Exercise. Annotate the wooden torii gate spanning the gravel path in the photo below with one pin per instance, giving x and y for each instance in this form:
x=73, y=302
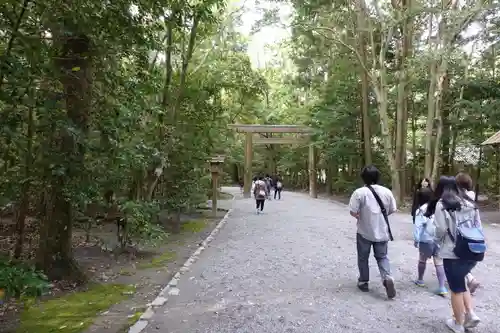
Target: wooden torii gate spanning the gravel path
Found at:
x=250, y=140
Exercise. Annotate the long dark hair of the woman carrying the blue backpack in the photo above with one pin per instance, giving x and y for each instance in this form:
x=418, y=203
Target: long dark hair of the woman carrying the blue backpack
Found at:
x=450, y=194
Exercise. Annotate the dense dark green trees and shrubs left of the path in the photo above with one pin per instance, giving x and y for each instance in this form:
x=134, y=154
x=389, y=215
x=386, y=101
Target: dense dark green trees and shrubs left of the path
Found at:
x=111, y=110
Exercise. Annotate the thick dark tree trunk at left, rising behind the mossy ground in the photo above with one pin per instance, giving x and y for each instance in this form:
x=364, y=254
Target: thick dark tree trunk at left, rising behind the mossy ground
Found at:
x=55, y=255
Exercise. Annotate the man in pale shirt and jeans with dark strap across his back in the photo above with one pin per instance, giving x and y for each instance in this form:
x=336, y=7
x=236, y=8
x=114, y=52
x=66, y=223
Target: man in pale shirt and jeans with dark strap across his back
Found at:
x=371, y=205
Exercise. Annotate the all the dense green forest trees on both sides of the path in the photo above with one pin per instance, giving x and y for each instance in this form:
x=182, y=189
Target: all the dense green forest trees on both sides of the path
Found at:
x=111, y=109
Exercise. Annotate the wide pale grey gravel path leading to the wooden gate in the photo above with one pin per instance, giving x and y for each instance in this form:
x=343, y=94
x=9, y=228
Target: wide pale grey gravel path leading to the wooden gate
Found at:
x=293, y=269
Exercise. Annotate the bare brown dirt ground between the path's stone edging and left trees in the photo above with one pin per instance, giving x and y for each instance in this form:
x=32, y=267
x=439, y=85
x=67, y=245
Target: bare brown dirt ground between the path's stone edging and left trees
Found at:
x=148, y=269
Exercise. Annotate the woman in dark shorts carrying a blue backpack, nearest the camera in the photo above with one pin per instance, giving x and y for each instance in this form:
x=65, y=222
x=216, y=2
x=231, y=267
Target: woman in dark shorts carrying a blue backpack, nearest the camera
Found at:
x=461, y=241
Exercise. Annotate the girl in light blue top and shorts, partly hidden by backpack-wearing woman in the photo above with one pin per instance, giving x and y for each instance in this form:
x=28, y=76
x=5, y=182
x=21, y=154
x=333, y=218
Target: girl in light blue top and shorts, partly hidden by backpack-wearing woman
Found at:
x=423, y=232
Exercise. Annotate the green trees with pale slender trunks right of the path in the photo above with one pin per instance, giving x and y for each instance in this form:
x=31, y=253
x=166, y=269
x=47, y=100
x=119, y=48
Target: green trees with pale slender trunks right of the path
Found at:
x=408, y=85
